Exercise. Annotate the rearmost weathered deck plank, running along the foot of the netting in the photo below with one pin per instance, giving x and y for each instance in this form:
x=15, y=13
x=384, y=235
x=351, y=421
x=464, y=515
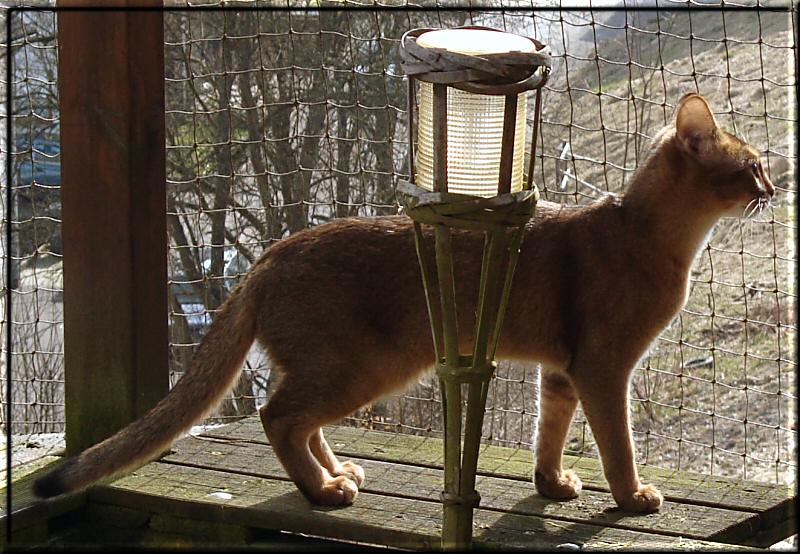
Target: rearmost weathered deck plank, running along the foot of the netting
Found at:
x=773, y=503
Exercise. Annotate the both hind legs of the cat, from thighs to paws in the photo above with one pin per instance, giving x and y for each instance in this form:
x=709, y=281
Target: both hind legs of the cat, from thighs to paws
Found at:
x=322, y=380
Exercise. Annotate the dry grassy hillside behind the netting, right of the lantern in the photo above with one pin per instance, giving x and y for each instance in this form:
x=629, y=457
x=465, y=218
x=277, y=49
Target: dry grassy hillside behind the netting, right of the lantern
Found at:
x=717, y=392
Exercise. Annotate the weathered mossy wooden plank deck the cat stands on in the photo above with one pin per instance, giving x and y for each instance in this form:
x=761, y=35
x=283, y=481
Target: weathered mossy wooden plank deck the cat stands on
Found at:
x=226, y=486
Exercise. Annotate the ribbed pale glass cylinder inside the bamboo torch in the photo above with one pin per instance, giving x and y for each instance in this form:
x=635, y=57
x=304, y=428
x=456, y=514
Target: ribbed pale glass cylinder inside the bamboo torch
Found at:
x=474, y=141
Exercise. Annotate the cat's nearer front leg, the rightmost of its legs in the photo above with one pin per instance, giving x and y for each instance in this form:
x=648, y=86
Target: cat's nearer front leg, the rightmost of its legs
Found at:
x=604, y=396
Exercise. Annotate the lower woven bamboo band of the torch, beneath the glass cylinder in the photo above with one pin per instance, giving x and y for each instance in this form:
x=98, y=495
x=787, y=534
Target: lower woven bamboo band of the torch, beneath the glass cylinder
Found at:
x=465, y=211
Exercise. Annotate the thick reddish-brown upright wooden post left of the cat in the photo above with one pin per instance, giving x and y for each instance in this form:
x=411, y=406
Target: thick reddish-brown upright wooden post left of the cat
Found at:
x=111, y=87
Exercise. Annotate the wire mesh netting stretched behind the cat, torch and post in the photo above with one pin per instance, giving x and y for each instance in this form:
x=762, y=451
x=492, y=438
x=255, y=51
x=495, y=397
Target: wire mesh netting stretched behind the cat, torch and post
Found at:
x=281, y=120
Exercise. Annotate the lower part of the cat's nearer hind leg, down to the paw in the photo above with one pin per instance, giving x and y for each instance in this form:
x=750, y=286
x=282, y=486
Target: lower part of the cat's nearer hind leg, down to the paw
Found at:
x=289, y=427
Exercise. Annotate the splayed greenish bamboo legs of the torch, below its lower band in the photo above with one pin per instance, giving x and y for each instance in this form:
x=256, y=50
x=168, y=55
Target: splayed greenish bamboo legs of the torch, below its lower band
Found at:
x=474, y=371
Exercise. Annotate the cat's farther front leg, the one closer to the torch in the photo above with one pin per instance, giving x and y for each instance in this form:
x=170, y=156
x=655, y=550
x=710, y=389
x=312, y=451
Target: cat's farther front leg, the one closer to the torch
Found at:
x=556, y=408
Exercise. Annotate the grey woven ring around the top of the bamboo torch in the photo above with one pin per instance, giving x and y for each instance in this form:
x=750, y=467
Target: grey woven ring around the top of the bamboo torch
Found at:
x=494, y=74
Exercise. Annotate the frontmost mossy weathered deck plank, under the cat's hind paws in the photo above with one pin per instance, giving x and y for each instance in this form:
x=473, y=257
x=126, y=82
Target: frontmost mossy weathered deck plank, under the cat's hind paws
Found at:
x=378, y=519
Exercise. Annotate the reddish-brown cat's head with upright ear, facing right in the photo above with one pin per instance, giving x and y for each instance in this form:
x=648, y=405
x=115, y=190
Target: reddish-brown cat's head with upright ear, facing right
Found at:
x=727, y=170
